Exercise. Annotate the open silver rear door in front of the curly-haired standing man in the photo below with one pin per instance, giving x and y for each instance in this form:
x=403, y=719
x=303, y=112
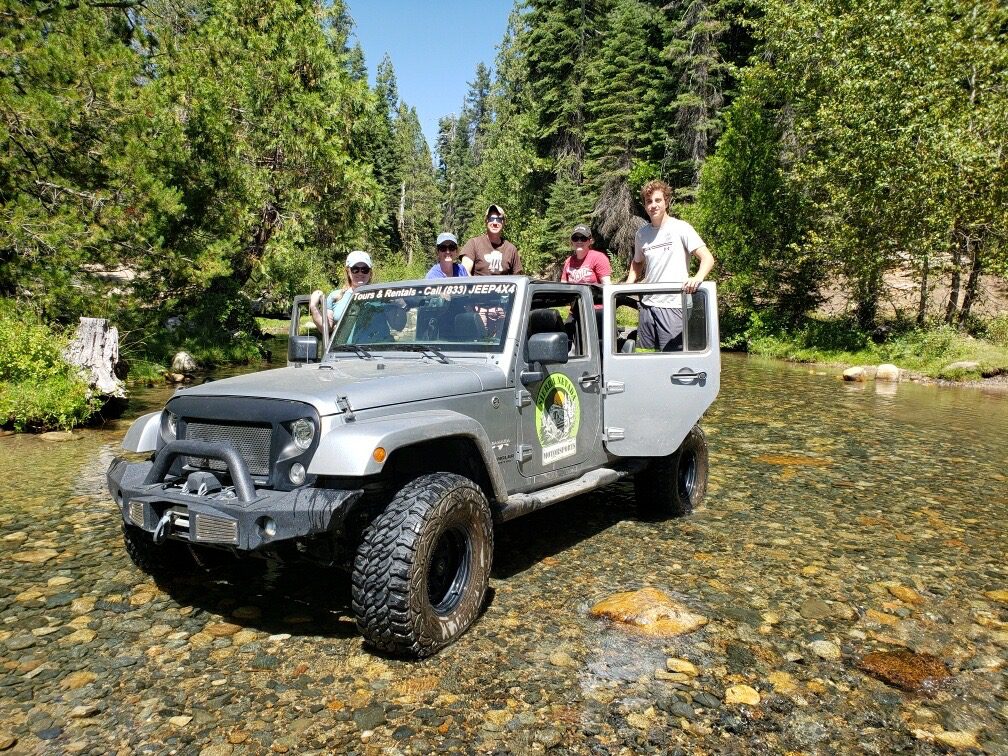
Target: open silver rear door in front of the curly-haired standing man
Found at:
x=652, y=400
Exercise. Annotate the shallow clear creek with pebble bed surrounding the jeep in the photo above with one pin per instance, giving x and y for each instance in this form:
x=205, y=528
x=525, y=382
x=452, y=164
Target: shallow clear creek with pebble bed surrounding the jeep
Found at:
x=849, y=563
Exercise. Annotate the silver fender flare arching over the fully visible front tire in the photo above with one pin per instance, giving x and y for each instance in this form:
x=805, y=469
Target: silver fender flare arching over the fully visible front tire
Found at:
x=346, y=450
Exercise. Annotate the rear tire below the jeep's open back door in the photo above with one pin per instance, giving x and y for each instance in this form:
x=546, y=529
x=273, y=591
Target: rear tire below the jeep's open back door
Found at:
x=674, y=486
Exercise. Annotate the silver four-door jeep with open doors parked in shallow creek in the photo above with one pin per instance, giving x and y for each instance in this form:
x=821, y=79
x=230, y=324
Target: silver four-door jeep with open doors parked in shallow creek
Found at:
x=435, y=410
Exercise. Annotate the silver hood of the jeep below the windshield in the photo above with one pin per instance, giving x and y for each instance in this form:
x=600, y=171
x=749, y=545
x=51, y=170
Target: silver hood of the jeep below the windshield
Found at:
x=365, y=384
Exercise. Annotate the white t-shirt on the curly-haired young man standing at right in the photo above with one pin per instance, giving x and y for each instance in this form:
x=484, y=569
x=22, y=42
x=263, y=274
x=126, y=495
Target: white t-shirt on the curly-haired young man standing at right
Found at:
x=666, y=253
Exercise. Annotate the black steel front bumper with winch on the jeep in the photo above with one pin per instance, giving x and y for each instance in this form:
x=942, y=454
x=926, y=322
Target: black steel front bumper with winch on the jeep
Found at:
x=244, y=519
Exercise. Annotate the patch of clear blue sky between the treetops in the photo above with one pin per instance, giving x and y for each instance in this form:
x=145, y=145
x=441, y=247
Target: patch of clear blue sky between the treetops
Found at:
x=435, y=48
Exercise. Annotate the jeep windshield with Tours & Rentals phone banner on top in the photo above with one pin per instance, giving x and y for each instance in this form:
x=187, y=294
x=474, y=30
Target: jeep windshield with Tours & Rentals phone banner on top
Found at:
x=468, y=317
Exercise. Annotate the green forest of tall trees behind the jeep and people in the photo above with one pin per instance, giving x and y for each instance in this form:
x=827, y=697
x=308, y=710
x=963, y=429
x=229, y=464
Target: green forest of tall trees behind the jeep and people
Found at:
x=209, y=160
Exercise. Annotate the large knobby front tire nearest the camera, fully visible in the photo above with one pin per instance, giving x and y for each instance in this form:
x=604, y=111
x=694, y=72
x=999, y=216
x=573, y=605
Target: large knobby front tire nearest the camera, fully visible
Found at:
x=424, y=566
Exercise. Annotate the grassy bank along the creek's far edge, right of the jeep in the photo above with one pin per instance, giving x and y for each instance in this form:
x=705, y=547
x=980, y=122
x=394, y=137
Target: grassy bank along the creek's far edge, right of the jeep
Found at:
x=929, y=352
